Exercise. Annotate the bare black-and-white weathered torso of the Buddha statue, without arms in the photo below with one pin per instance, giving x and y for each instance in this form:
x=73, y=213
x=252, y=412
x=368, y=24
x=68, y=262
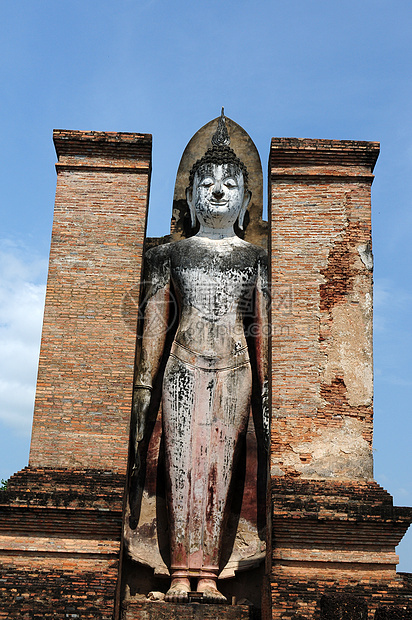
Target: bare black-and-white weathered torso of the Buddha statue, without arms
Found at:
x=214, y=282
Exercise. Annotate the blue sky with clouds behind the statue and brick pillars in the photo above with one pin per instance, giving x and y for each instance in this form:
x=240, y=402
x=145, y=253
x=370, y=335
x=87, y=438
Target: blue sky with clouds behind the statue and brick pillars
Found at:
x=303, y=68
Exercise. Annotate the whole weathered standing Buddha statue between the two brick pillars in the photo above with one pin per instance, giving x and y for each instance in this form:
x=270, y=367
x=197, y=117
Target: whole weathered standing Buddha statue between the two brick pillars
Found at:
x=218, y=353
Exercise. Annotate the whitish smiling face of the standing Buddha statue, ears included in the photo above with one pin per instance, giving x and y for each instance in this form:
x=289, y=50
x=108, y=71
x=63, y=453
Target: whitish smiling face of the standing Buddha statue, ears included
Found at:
x=218, y=196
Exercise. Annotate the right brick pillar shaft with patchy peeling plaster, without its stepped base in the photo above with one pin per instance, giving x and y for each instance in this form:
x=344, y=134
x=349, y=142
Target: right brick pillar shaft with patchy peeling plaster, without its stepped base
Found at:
x=322, y=307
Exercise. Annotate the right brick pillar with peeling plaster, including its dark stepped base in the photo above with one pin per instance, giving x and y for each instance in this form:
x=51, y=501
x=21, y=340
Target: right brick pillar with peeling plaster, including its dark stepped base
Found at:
x=334, y=530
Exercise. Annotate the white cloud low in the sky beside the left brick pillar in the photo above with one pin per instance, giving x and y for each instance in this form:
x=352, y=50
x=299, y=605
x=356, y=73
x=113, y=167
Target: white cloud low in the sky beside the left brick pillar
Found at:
x=22, y=290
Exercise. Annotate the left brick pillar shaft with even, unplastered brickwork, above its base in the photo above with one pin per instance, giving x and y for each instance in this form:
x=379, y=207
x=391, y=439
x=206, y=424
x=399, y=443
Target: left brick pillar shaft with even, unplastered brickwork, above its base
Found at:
x=84, y=386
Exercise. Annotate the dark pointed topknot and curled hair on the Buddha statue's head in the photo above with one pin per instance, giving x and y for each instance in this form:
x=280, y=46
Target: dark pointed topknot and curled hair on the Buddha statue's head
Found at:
x=219, y=153
